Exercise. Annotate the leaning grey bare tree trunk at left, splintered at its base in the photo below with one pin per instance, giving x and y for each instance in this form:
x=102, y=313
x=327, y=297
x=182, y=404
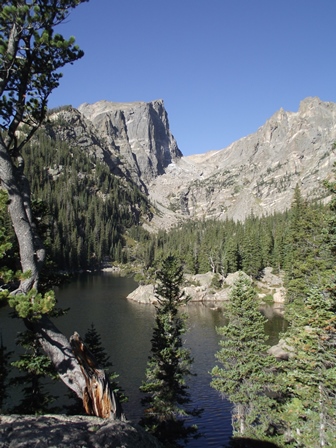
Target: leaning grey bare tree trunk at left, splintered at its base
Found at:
x=32, y=255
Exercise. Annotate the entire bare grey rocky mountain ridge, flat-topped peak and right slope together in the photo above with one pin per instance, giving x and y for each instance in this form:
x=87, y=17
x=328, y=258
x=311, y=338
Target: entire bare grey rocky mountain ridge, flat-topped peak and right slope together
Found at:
x=257, y=173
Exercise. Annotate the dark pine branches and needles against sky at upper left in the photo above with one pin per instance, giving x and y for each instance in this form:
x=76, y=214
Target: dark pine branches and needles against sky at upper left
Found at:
x=31, y=55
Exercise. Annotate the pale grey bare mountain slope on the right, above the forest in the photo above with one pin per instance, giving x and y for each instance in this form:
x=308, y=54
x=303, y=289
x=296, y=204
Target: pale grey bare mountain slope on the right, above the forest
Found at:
x=257, y=173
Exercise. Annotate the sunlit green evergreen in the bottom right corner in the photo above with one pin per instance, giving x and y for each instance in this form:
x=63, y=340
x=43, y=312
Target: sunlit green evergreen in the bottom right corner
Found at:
x=308, y=378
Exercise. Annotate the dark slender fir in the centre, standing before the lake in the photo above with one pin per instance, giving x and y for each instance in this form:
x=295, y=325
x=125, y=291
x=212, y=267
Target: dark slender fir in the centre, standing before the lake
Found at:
x=169, y=364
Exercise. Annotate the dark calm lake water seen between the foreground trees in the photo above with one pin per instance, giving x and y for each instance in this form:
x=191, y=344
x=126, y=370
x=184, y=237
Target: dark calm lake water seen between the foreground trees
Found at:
x=126, y=329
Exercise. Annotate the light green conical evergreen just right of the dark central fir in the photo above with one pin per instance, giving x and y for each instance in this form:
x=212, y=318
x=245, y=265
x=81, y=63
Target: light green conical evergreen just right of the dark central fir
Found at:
x=246, y=376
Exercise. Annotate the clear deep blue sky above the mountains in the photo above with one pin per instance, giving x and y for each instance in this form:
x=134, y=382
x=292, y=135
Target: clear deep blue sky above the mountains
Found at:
x=222, y=67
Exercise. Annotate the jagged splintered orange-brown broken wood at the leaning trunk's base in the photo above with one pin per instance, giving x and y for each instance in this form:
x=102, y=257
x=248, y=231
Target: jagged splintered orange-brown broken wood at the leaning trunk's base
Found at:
x=98, y=397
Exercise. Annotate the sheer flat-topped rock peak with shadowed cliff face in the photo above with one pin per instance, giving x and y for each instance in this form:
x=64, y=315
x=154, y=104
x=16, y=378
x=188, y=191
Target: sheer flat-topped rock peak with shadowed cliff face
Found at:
x=138, y=134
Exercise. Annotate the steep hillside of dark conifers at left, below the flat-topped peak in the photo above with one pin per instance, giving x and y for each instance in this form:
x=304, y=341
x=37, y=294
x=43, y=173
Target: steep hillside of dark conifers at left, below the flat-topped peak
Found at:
x=82, y=208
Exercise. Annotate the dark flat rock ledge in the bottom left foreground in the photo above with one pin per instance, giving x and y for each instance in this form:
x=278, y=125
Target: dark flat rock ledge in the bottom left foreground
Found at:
x=61, y=431
